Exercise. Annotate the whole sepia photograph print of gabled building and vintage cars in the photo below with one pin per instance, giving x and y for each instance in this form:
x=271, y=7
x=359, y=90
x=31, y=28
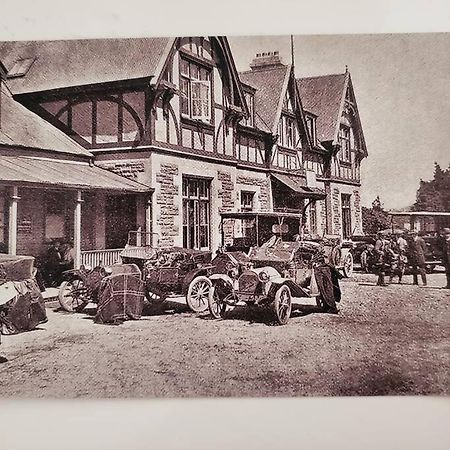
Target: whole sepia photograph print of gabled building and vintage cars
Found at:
x=213, y=216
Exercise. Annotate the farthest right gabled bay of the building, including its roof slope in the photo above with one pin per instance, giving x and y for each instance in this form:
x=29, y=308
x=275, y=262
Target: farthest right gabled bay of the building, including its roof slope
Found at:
x=336, y=154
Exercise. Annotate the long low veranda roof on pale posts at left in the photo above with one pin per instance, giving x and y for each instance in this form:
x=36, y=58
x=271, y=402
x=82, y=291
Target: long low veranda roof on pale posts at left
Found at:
x=22, y=170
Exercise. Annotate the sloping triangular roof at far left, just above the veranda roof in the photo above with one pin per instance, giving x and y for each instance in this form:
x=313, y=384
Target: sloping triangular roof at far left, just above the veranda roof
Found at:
x=20, y=127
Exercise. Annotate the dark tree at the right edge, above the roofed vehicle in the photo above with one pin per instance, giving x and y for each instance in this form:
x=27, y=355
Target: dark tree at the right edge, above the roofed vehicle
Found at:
x=434, y=195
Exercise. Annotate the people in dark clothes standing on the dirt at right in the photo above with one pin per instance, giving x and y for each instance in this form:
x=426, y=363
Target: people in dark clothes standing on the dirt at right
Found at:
x=392, y=254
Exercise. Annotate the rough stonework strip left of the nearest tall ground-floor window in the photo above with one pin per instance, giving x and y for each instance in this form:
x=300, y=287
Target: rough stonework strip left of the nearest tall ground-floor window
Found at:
x=168, y=202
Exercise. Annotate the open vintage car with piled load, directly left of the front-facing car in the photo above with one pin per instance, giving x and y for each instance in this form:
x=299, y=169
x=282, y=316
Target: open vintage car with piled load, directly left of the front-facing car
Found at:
x=170, y=271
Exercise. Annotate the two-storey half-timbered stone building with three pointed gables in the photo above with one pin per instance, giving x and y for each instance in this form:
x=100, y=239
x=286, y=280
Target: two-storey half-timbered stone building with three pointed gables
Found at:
x=173, y=114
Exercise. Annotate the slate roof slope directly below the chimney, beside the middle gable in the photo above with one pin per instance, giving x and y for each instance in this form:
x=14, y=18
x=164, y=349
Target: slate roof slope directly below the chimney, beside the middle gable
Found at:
x=269, y=84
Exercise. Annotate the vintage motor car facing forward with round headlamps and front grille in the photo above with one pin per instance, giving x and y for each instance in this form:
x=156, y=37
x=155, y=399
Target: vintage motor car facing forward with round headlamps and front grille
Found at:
x=273, y=273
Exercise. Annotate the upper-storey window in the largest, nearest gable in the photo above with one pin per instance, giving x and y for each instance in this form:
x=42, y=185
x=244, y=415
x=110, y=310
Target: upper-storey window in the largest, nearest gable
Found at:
x=195, y=90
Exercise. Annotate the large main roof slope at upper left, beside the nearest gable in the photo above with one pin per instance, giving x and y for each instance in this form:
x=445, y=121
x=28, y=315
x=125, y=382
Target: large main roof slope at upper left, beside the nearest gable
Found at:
x=68, y=63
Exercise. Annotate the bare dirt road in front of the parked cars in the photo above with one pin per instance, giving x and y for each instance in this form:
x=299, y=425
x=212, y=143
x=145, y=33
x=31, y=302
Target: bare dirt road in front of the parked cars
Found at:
x=386, y=340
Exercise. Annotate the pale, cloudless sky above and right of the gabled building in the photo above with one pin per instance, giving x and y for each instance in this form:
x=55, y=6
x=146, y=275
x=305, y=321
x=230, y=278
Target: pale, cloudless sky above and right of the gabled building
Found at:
x=402, y=88
